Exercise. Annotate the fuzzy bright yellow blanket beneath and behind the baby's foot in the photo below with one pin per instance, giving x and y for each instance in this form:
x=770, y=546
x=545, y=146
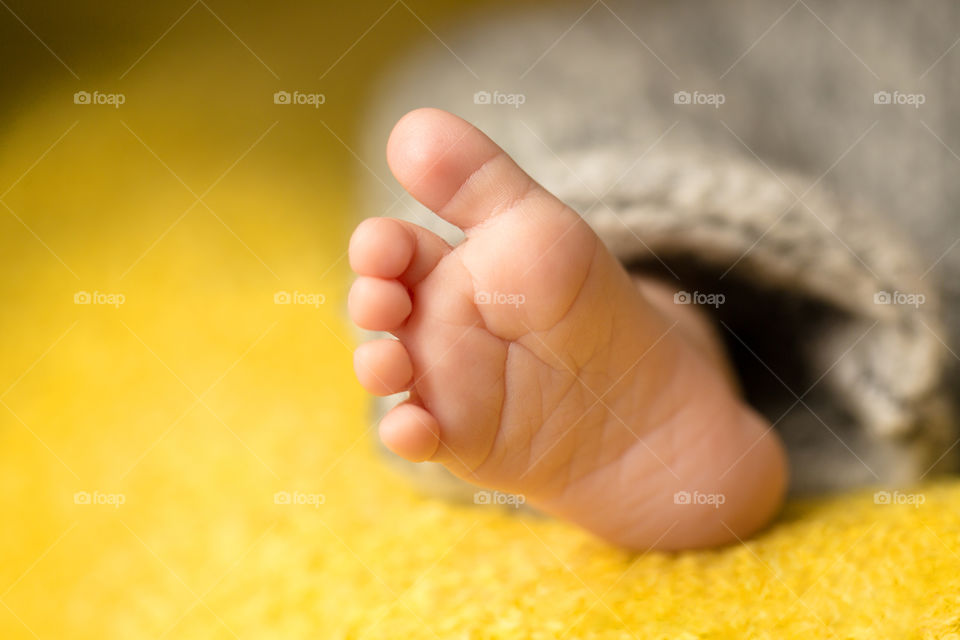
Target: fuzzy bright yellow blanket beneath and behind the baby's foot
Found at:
x=151, y=439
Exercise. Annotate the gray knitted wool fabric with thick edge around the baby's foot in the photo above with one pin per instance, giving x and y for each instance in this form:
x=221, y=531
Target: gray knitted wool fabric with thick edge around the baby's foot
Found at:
x=793, y=165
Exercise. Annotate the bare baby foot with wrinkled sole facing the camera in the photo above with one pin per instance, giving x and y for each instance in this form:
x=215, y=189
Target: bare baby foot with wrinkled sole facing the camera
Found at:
x=537, y=366
